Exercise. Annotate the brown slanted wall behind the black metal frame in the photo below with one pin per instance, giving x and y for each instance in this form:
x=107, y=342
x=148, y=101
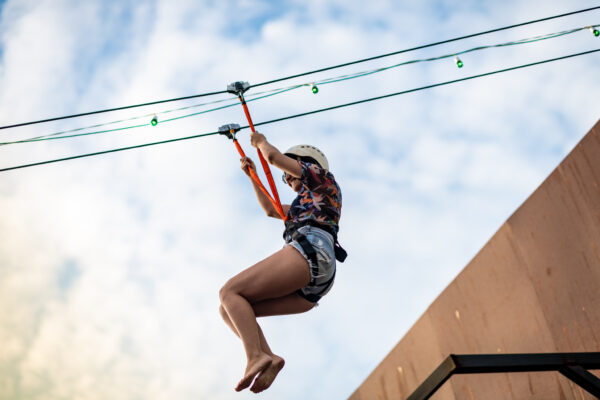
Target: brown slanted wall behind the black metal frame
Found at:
x=534, y=287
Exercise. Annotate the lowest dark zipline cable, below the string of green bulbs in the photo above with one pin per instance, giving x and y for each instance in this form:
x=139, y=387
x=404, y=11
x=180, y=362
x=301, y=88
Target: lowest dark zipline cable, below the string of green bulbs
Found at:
x=310, y=112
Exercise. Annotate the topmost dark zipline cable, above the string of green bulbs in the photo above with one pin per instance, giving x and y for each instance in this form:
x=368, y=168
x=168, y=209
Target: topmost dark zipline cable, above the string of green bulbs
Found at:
x=304, y=73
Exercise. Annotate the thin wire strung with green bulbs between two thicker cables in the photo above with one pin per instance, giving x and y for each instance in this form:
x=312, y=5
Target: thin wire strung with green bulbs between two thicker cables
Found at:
x=272, y=92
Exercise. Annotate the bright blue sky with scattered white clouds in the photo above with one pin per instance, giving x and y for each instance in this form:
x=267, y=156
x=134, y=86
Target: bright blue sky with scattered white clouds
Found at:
x=110, y=266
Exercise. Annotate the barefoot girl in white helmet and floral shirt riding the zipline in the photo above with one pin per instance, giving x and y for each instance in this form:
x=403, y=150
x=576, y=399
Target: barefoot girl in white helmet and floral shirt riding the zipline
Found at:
x=293, y=279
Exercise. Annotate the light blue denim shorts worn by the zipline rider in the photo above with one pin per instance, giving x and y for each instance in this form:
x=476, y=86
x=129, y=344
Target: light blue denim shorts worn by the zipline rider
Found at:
x=323, y=243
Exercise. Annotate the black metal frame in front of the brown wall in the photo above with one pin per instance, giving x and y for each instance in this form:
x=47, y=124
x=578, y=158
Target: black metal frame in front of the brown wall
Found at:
x=574, y=366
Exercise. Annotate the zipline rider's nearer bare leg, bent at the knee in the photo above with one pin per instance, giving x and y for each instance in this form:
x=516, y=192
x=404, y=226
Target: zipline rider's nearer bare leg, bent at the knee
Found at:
x=276, y=276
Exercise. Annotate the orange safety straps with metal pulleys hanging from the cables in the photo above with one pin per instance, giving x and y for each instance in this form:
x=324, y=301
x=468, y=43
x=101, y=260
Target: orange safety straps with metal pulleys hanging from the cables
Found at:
x=230, y=130
